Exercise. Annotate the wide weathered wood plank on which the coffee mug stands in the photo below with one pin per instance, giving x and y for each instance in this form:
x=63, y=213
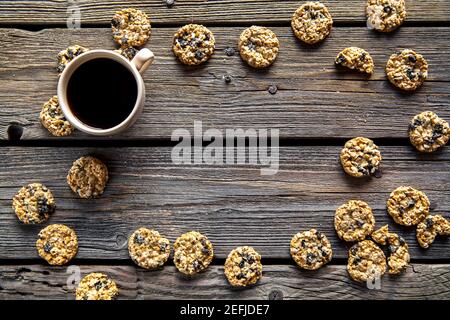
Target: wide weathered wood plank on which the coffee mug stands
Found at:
x=314, y=100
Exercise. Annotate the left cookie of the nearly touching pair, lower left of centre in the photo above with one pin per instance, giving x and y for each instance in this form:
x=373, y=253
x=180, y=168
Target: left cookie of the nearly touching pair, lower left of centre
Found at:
x=148, y=249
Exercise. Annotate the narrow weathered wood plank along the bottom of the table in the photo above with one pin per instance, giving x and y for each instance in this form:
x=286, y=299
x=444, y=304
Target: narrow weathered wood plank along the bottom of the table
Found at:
x=279, y=281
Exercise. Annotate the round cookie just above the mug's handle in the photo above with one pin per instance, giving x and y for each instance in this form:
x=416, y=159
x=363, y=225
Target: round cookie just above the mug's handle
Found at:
x=131, y=27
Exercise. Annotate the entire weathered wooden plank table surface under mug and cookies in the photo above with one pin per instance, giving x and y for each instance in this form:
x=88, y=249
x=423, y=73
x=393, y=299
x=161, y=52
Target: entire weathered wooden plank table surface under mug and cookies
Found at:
x=316, y=108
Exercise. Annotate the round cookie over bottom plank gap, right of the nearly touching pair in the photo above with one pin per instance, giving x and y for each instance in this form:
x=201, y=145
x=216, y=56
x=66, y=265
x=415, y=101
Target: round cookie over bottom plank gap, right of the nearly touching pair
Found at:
x=243, y=267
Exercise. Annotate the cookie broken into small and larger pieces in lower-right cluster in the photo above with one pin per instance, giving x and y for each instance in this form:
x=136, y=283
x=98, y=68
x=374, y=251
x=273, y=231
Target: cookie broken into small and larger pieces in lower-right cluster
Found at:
x=398, y=258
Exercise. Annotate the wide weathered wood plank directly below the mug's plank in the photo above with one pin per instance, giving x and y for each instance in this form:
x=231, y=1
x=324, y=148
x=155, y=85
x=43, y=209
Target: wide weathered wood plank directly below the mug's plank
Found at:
x=232, y=205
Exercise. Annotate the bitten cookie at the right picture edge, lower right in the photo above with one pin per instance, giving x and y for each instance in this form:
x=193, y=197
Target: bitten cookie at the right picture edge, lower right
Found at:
x=428, y=229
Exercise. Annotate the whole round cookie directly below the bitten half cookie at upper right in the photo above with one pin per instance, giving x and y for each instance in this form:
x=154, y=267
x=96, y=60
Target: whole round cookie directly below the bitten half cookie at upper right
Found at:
x=360, y=157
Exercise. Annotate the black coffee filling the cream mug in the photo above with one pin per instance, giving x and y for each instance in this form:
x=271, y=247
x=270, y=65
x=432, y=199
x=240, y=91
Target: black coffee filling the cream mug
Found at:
x=102, y=93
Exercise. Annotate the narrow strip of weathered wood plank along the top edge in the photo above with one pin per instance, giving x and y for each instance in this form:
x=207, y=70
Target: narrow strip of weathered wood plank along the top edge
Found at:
x=42, y=12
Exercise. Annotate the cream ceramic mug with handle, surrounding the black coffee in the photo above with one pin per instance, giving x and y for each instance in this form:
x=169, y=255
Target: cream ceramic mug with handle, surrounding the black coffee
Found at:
x=137, y=66
